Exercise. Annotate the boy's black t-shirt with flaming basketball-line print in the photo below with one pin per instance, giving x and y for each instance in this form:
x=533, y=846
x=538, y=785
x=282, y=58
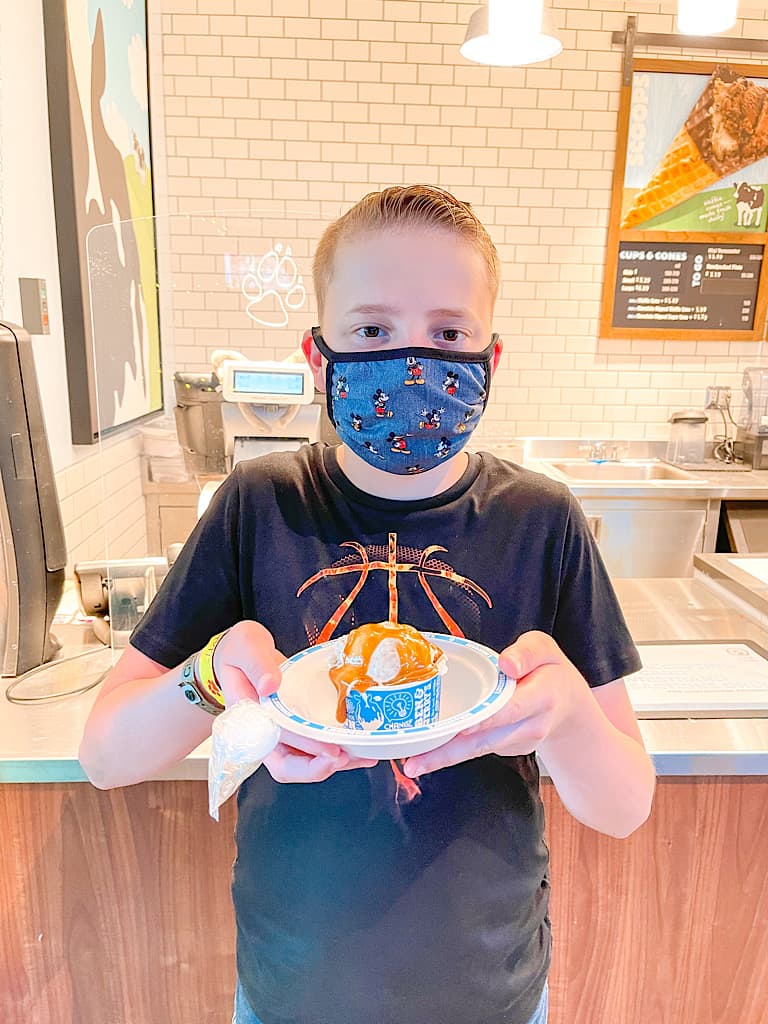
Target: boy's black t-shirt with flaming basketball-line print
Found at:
x=352, y=907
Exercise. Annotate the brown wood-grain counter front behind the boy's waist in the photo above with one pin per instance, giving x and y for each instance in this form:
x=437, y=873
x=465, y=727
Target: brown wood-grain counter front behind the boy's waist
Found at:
x=115, y=908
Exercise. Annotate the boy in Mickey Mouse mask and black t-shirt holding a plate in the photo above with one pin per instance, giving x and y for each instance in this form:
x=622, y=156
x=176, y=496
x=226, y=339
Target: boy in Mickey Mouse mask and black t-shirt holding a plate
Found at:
x=352, y=907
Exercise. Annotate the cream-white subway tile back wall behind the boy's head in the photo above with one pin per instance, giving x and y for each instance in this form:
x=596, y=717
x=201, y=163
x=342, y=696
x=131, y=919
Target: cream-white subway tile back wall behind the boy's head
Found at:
x=308, y=105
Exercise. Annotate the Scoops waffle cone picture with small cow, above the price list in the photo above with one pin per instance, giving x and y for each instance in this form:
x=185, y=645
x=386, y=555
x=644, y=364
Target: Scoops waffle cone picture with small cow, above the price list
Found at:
x=697, y=153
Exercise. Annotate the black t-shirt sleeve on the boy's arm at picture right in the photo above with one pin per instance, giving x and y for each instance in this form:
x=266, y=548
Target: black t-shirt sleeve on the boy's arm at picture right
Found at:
x=589, y=625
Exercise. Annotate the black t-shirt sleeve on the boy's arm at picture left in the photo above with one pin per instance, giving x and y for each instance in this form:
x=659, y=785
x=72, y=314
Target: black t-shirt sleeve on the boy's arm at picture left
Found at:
x=201, y=594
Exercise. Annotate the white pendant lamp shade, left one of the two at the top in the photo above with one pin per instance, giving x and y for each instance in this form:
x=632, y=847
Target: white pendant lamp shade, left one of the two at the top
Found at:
x=508, y=36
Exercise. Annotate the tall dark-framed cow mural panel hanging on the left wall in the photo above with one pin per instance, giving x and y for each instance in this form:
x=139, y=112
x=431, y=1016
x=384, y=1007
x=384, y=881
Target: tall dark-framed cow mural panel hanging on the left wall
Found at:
x=100, y=130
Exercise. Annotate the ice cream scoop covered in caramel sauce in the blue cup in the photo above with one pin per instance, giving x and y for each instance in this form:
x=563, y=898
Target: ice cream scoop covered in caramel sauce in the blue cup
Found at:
x=382, y=655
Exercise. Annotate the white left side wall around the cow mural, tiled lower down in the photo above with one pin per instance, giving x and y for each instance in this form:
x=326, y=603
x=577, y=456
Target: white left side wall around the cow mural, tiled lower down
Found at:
x=100, y=490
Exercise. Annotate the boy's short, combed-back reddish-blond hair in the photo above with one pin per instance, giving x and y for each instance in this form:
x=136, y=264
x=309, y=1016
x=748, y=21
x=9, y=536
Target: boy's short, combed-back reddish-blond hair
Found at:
x=402, y=206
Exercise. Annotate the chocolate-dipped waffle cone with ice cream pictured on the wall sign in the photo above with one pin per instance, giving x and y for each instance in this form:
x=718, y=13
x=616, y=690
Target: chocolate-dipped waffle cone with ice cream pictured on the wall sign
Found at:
x=727, y=131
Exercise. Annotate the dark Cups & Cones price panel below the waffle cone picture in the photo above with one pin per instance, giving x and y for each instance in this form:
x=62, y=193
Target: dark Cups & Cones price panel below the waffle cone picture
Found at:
x=688, y=286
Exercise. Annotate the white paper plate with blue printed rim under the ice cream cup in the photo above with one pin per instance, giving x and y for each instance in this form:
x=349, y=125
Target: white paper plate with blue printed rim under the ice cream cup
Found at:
x=474, y=689
